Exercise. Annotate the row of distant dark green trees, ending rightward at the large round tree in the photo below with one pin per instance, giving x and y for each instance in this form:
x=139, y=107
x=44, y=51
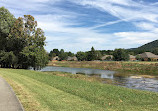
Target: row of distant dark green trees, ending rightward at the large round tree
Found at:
x=118, y=54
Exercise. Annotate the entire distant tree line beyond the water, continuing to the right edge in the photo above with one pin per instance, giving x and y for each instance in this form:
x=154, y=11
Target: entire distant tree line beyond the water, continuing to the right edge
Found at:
x=116, y=55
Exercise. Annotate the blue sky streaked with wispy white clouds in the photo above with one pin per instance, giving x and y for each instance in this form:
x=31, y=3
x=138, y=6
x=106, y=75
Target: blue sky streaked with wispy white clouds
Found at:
x=77, y=25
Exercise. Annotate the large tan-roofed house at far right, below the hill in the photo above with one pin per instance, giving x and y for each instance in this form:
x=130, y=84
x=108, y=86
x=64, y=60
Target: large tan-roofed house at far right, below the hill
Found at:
x=148, y=56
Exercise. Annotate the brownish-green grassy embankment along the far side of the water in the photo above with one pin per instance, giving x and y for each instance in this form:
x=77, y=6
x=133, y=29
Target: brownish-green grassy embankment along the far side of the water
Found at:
x=147, y=68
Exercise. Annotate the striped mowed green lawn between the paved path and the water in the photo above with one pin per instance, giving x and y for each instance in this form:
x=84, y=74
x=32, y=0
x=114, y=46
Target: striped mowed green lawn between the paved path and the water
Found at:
x=39, y=91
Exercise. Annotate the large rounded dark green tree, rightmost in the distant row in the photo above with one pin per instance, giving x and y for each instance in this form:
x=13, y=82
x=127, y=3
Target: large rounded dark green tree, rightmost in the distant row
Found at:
x=120, y=55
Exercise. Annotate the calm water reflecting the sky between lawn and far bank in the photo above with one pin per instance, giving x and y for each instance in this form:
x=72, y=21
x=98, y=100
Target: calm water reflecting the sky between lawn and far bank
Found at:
x=130, y=81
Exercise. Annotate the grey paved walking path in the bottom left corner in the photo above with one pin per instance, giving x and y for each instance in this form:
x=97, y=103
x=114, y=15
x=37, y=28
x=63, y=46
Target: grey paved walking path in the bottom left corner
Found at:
x=8, y=99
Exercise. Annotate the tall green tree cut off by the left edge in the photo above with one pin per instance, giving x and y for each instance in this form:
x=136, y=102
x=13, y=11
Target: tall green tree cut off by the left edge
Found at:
x=6, y=22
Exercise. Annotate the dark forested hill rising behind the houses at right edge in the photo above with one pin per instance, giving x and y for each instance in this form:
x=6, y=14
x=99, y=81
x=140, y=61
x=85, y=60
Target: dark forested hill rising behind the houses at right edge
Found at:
x=149, y=46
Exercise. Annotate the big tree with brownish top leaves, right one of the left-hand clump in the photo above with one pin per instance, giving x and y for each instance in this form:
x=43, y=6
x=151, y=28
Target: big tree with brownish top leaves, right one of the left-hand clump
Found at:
x=28, y=43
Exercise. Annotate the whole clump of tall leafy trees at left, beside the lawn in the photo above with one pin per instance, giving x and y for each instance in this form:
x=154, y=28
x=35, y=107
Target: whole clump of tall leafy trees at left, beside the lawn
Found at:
x=21, y=42
